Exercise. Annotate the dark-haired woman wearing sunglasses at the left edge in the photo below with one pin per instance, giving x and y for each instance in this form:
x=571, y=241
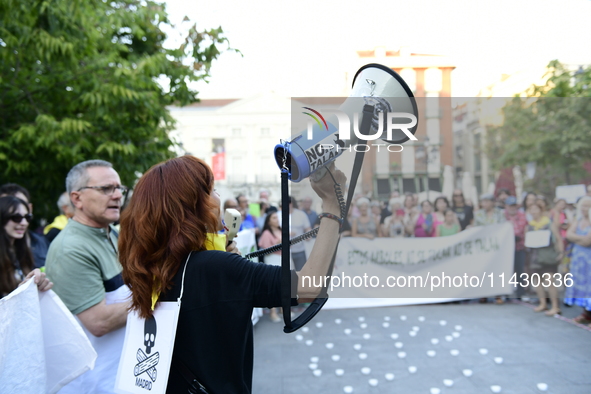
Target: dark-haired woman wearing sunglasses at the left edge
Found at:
x=16, y=259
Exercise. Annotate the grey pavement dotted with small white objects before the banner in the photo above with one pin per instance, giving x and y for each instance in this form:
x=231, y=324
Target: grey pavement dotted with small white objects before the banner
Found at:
x=433, y=349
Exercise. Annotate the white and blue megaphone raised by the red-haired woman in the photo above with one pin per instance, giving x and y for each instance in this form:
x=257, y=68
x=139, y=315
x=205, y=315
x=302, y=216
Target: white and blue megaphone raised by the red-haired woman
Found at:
x=394, y=120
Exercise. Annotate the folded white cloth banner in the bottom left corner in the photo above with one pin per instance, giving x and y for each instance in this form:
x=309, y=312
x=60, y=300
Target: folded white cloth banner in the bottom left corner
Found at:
x=42, y=345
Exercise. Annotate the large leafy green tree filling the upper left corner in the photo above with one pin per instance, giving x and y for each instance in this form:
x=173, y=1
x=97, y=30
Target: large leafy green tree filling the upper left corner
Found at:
x=79, y=80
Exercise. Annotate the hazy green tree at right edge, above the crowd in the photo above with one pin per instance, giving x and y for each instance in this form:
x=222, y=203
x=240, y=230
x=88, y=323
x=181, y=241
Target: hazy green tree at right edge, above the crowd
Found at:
x=552, y=128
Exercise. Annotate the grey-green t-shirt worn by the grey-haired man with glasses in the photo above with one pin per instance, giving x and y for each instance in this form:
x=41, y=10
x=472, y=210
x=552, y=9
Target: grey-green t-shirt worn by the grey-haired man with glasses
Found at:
x=83, y=265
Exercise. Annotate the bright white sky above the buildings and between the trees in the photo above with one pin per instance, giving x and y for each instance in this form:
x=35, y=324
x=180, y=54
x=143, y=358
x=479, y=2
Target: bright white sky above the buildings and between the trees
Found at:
x=304, y=48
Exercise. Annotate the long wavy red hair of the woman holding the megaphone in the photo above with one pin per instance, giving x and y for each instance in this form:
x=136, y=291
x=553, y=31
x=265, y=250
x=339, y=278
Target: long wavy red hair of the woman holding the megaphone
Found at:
x=168, y=216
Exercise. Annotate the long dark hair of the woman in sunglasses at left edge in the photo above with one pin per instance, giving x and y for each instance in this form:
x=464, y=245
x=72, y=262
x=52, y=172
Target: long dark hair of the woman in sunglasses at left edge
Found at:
x=10, y=254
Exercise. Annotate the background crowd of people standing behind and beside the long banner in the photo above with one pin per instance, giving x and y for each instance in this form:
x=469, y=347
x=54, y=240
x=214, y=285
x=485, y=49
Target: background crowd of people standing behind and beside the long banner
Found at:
x=569, y=248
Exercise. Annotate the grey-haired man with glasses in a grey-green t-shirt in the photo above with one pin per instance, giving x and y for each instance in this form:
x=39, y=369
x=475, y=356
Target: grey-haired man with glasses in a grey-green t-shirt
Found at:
x=82, y=263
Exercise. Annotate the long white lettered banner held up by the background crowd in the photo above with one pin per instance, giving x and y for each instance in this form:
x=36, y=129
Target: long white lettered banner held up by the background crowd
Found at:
x=477, y=262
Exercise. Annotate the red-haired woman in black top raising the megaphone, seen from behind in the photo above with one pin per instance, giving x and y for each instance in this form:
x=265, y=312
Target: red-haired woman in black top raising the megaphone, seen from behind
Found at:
x=171, y=218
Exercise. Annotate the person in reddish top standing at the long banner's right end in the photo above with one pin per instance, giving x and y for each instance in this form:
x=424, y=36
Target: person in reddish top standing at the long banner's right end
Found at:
x=519, y=222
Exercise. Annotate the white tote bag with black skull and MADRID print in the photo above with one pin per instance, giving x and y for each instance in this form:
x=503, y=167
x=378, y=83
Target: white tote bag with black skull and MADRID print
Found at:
x=147, y=350
